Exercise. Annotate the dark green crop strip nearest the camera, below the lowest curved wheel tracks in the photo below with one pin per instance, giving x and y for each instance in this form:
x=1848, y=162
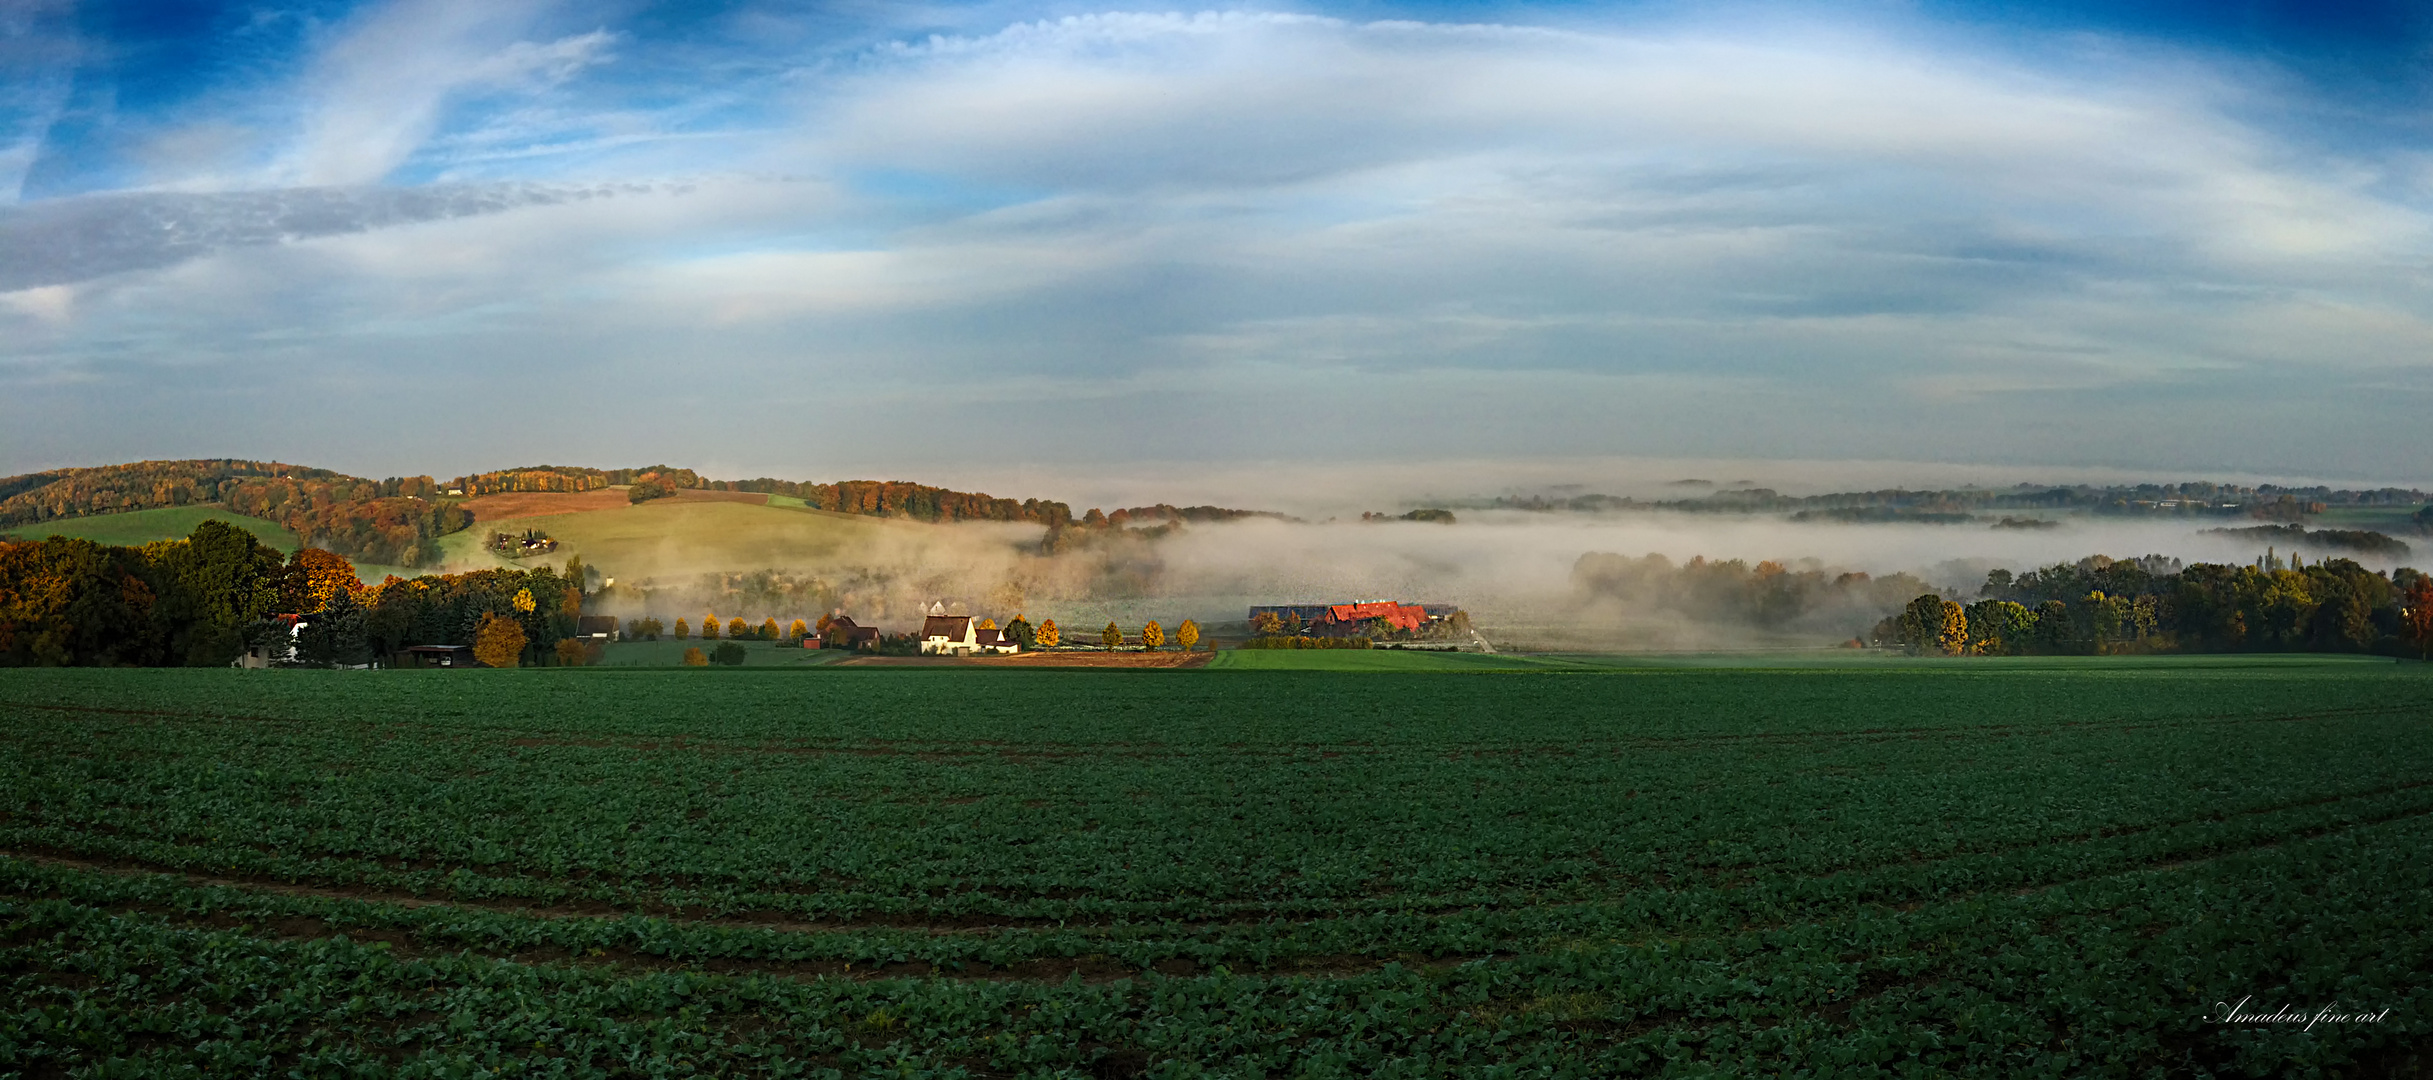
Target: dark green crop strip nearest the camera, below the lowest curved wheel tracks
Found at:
x=2096, y=977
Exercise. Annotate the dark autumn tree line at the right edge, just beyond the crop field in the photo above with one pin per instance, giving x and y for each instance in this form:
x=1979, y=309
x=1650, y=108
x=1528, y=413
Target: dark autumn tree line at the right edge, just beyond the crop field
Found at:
x=2113, y=607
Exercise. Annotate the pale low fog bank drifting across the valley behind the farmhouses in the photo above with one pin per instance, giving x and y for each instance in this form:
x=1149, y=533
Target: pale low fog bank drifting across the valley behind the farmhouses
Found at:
x=1512, y=570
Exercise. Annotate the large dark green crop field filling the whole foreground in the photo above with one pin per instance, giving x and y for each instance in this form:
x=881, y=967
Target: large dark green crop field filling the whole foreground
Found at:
x=1860, y=870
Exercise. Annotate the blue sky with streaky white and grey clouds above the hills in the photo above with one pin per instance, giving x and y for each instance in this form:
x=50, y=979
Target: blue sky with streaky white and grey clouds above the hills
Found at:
x=943, y=240
